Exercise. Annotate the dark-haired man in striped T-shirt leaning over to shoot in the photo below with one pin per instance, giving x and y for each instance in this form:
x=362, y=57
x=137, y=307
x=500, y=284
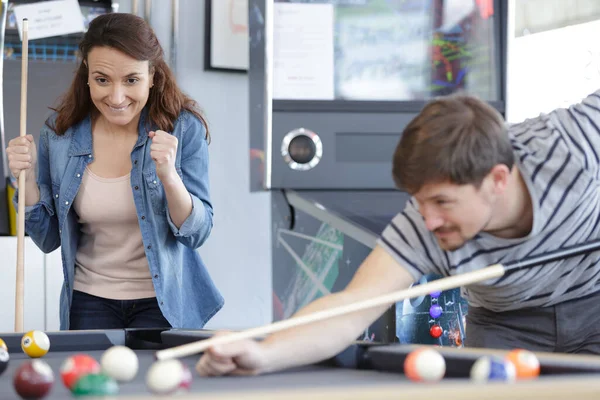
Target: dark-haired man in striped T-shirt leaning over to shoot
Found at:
x=483, y=193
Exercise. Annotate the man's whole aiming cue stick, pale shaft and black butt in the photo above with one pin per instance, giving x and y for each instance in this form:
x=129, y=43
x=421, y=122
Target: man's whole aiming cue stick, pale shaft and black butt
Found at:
x=451, y=282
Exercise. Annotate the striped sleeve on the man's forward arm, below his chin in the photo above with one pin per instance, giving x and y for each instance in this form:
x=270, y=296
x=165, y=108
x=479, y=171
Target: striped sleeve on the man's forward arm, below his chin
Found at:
x=409, y=242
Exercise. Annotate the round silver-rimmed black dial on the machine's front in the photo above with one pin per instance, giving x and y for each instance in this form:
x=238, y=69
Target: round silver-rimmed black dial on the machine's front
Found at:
x=301, y=149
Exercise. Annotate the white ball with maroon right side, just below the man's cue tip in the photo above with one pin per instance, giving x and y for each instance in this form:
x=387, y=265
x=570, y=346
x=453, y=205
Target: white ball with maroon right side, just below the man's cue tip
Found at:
x=168, y=377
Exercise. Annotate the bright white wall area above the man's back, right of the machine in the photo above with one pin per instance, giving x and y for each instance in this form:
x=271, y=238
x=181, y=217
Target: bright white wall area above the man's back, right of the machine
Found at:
x=552, y=69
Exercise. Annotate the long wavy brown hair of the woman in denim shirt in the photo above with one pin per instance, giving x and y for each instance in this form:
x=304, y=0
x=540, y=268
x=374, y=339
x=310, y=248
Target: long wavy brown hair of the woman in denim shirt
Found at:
x=133, y=36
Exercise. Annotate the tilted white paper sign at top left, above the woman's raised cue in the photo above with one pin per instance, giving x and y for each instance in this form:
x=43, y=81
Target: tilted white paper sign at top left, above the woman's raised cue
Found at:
x=50, y=18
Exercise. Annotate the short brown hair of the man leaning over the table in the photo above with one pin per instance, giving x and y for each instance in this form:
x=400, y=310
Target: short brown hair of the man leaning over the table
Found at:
x=456, y=139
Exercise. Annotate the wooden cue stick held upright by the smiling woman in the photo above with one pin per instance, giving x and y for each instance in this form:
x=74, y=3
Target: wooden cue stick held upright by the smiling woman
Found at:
x=20, y=286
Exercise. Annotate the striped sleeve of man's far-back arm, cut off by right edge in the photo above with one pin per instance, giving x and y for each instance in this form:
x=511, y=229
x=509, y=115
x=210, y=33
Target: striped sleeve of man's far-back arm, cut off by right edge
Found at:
x=580, y=126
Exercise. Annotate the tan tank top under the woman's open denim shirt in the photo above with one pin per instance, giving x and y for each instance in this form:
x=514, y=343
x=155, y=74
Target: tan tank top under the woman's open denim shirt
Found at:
x=110, y=261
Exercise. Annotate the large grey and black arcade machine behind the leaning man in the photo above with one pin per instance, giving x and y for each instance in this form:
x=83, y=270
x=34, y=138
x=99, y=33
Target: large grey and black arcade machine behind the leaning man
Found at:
x=332, y=85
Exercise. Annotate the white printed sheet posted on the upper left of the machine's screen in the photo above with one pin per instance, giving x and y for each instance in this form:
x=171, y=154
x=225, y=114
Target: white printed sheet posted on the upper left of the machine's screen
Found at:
x=303, y=55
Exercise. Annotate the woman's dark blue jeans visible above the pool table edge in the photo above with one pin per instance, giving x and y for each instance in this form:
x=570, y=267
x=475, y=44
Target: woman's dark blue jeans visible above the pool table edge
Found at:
x=92, y=312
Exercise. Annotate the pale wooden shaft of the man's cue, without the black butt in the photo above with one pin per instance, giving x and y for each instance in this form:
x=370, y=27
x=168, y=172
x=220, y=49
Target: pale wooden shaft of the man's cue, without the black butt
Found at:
x=493, y=271
